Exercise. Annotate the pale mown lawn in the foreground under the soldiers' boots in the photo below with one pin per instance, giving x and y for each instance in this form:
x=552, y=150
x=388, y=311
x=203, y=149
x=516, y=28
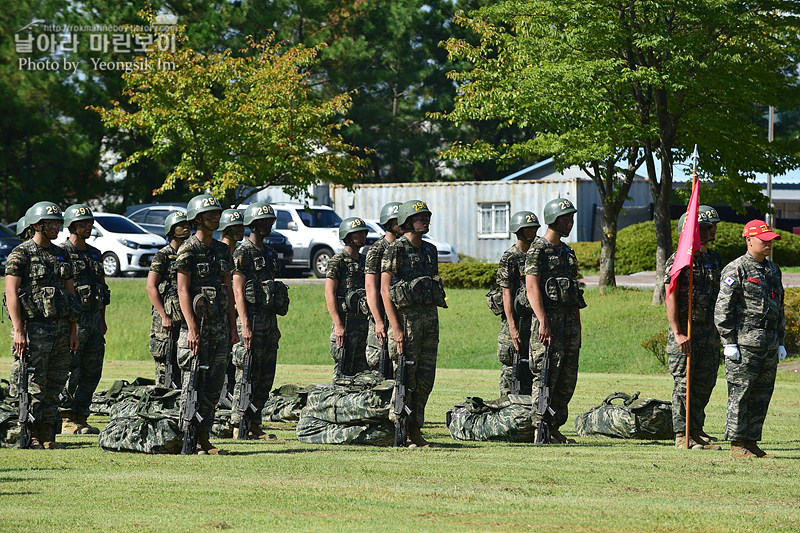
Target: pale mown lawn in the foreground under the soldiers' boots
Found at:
x=597, y=485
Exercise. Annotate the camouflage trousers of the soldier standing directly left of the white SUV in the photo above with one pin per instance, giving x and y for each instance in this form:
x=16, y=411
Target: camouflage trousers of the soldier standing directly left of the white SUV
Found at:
x=264, y=357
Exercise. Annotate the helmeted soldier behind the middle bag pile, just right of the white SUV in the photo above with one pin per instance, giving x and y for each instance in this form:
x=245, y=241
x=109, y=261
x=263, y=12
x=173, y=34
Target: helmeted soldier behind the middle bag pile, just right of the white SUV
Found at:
x=345, y=298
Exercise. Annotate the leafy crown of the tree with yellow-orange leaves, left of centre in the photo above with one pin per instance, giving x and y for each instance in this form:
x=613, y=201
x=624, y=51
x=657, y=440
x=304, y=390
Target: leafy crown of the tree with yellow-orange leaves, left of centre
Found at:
x=240, y=122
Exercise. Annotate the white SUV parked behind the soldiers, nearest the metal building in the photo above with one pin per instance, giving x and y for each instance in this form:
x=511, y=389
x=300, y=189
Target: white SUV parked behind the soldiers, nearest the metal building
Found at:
x=313, y=233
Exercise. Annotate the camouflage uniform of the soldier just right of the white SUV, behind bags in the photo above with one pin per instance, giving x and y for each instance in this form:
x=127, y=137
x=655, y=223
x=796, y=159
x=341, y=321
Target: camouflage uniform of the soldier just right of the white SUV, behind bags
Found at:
x=349, y=273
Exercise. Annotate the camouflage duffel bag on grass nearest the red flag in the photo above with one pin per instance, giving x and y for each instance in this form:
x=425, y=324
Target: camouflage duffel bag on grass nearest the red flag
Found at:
x=634, y=418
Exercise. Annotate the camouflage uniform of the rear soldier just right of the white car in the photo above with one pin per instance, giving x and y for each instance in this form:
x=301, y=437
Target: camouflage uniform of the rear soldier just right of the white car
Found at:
x=161, y=340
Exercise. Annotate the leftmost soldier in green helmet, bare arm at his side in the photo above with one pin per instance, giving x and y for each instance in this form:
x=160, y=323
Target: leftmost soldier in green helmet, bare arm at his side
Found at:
x=44, y=310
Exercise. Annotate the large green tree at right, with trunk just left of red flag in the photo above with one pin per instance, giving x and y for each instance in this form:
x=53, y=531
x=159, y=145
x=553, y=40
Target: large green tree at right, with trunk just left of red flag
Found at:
x=659, y=75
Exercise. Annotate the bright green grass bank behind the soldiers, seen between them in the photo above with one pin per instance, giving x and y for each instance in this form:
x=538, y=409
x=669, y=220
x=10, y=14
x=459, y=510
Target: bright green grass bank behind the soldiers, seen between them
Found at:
x=614, y=326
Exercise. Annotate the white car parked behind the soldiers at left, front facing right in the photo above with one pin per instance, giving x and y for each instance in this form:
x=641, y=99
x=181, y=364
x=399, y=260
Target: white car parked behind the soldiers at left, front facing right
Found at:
x=125, y=245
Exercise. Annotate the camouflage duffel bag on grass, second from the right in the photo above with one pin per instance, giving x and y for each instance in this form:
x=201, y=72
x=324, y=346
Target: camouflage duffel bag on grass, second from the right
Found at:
x=506, y=419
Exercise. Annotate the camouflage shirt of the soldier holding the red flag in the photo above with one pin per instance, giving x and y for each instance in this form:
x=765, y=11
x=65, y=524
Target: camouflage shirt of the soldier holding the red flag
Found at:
x=705, y=287
